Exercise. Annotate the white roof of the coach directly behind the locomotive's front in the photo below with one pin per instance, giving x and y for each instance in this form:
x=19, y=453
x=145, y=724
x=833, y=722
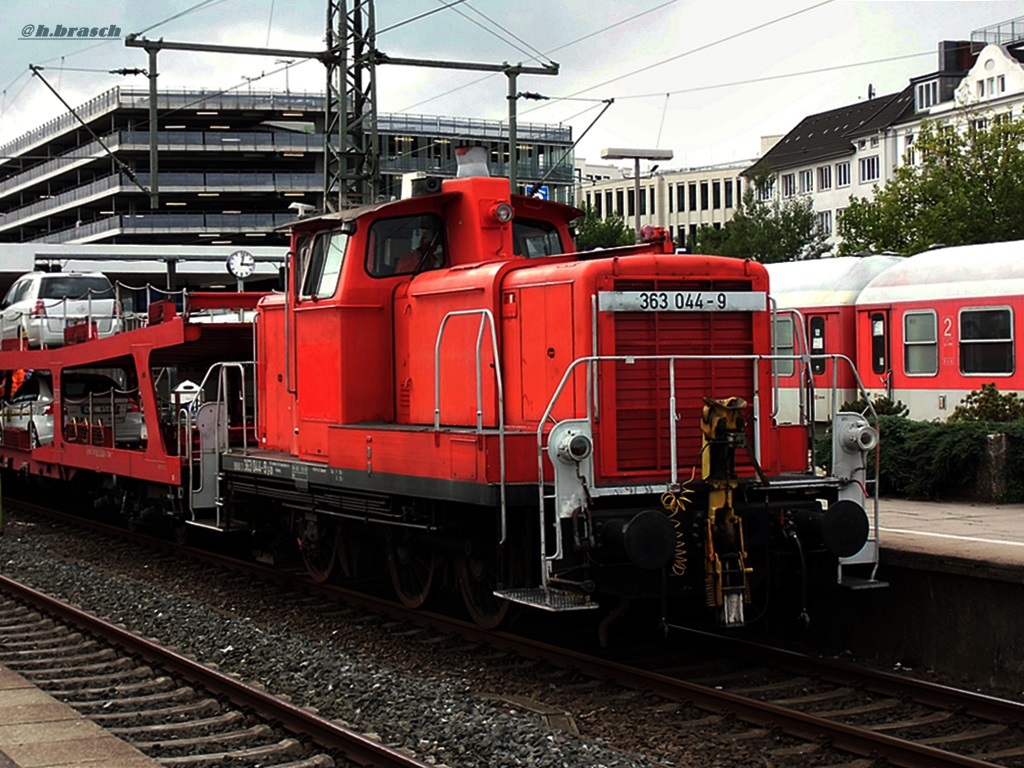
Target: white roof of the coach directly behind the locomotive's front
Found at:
x=824, y=282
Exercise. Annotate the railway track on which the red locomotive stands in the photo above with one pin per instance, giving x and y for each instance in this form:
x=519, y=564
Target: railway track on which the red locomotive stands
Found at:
x=825, y=709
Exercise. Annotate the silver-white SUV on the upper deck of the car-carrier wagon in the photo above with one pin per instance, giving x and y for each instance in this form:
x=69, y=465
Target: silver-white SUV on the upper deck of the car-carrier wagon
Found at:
x=40, y=306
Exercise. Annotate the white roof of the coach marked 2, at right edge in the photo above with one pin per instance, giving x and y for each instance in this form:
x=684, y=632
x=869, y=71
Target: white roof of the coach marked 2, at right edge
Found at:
x=993, y=270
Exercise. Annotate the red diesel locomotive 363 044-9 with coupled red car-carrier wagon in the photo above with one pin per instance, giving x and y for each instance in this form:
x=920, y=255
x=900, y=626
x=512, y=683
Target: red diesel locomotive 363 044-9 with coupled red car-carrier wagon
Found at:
x=447, y=385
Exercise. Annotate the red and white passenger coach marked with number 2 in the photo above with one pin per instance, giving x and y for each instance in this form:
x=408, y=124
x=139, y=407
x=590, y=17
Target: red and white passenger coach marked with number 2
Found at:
x=940, y=325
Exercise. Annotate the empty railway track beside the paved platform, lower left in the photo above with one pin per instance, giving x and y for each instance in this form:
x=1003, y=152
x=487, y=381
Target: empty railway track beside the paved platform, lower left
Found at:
x=175, y=710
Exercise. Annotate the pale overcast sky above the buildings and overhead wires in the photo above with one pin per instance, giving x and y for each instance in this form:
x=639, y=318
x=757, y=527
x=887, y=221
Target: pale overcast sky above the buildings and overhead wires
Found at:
x=703, y=78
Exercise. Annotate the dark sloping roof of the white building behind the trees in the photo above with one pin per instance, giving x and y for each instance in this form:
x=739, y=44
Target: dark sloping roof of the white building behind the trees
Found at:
x=831, y=135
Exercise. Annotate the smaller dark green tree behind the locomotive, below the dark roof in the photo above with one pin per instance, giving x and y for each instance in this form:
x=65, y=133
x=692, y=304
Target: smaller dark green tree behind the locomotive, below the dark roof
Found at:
x=767, y=231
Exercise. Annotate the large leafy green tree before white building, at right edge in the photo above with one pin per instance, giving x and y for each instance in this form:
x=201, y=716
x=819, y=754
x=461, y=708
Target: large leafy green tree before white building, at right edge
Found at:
x=966, y=188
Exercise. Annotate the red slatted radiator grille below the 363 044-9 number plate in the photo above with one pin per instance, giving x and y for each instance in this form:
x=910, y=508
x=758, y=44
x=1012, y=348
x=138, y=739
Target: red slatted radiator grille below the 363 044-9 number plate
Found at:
x=635, y=440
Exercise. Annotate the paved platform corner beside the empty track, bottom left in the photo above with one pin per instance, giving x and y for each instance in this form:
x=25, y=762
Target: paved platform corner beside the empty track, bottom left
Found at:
x=38, y=732
